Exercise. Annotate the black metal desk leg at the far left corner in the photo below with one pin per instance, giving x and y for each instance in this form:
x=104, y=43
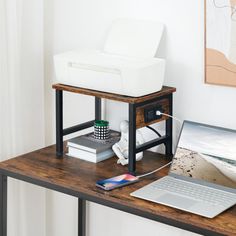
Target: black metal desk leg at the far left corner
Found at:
x=3, y=205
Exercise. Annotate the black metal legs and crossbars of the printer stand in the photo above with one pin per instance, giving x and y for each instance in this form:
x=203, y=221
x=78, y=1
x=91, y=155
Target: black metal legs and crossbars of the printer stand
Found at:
x=133, y=150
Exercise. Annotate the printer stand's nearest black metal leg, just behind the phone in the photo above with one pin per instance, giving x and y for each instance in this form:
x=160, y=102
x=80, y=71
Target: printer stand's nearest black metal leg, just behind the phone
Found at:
x=132, y=138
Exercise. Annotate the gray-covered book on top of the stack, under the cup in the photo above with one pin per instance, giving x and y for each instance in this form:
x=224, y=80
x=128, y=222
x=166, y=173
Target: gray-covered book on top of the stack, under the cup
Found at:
x=88, y=143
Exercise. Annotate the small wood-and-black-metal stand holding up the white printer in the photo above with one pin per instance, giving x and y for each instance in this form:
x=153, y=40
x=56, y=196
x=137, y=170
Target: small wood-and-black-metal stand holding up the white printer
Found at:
x=141, y=114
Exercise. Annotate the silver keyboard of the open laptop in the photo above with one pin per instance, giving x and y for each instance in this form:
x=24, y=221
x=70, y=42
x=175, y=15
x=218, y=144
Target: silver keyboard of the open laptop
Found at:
x=194, y=191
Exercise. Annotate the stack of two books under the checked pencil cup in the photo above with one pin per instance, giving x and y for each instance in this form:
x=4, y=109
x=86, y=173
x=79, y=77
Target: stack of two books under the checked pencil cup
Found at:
x=87, y=148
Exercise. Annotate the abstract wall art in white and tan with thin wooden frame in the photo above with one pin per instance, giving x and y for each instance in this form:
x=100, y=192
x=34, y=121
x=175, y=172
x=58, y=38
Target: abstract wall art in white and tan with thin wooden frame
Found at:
x=220, y=42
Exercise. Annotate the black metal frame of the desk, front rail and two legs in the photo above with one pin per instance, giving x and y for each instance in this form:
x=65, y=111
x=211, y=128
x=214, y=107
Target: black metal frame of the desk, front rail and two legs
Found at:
x=82, y=198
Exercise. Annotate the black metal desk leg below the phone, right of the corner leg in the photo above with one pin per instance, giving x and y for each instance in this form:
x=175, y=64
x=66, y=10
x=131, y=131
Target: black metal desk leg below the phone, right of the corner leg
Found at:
x=82, y=217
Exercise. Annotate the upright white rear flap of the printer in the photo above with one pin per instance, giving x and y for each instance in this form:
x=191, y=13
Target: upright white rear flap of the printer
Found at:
x=135, y=38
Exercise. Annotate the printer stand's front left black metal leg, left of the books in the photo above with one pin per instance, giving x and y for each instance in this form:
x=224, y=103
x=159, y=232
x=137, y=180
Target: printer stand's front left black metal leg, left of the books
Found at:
x=59, y=123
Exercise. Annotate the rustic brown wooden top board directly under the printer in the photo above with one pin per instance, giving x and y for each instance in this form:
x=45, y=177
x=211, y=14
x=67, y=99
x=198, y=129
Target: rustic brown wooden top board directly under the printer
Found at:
x=165, y=91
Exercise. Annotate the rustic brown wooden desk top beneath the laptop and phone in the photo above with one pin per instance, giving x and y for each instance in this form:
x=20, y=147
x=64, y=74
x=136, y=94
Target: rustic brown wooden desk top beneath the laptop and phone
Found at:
x=77, y=178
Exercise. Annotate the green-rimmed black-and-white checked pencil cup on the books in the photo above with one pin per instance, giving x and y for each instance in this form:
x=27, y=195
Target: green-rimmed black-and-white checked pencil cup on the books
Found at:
x=101, y=129
